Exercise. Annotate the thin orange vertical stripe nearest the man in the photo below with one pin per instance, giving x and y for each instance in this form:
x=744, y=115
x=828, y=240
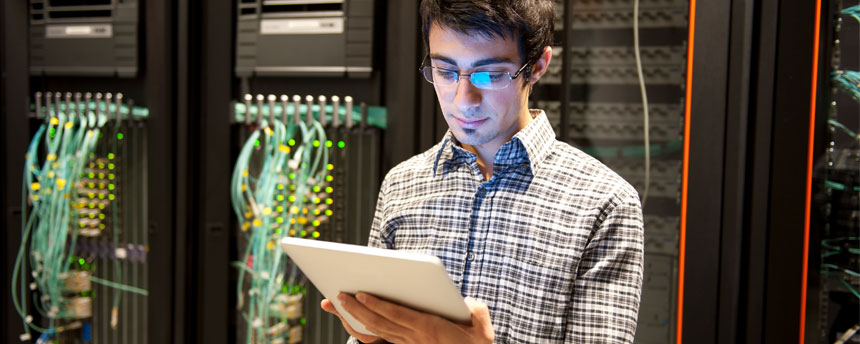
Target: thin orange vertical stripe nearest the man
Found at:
x=686, y=166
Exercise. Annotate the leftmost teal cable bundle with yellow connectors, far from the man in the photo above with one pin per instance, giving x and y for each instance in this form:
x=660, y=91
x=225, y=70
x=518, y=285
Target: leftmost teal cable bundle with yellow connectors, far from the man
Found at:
x=55, y=162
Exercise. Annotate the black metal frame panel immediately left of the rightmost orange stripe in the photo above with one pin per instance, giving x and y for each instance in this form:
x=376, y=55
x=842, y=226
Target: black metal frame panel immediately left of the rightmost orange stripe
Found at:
x=778, y=170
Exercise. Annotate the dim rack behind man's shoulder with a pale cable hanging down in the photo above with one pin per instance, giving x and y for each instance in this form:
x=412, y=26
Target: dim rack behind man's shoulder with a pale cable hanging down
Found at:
x=594, y=73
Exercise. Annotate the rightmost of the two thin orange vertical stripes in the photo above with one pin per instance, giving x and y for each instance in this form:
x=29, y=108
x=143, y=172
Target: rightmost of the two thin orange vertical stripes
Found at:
x=809, y=162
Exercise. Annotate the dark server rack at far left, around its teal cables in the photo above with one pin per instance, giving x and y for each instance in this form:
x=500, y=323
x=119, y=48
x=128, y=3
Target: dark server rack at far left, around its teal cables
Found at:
x=145, y=173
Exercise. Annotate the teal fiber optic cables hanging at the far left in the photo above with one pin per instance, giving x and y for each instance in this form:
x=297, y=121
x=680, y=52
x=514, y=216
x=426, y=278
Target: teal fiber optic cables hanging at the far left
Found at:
x=70, y=137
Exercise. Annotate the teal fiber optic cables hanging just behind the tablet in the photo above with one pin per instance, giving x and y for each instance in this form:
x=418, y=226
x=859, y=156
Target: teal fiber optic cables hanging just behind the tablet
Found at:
x=255, y=196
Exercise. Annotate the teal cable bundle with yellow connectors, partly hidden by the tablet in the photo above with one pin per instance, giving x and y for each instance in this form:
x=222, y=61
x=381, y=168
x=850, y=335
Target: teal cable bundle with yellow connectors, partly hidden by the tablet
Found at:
x=281, y=186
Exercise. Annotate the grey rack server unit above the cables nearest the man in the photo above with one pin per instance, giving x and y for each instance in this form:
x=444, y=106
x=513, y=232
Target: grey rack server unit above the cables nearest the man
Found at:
x=304, y=38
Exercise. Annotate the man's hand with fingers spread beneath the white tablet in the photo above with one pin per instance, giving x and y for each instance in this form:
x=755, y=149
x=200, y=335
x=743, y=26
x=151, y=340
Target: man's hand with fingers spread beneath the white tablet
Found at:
x=398, y=324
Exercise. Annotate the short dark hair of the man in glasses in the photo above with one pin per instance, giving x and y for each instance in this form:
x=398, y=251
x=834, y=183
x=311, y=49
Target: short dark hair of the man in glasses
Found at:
x=530, y=22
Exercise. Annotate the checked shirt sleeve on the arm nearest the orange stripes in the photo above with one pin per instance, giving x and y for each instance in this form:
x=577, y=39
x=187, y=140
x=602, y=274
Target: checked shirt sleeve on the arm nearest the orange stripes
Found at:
x=607, y=288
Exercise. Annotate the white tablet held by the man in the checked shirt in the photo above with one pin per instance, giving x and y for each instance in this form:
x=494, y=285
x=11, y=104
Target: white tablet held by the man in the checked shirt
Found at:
x=415, y=280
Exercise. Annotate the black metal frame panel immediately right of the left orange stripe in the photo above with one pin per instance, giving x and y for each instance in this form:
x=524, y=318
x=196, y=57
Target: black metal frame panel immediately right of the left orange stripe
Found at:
x=706, y=171
